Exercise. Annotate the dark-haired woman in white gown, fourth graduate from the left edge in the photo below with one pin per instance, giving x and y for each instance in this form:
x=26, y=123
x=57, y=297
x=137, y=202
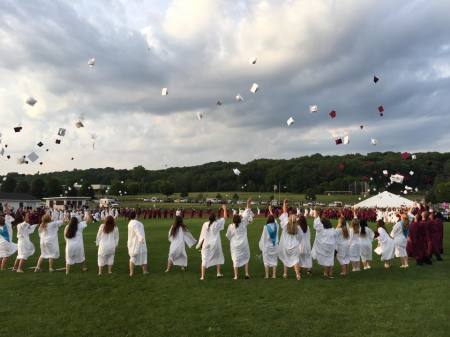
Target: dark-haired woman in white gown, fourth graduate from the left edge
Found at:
x=73, y=234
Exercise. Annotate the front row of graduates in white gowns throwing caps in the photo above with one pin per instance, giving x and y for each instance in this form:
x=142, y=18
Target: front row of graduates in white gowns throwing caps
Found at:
x=351, y=244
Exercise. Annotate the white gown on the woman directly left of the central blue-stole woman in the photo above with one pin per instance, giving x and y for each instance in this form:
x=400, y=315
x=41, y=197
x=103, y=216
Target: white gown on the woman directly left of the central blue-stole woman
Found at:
x=239, y=248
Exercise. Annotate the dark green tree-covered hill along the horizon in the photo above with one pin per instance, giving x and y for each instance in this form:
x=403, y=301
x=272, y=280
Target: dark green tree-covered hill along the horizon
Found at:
x=314, y=174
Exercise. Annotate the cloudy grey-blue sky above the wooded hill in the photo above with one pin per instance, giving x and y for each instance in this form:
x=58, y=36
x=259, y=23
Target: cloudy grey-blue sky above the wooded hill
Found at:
x=321, y=53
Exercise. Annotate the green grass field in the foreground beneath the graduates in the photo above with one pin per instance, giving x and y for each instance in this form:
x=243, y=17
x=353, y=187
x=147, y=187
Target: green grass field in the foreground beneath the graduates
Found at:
x=413, y=302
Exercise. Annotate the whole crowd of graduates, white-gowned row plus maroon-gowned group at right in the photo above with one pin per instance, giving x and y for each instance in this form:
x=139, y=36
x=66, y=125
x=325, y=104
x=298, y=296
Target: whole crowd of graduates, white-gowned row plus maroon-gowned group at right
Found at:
x=285, y=237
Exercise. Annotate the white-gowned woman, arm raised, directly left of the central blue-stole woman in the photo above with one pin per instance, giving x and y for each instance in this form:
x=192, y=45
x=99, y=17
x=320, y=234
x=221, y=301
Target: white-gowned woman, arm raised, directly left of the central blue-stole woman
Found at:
x=237, y=234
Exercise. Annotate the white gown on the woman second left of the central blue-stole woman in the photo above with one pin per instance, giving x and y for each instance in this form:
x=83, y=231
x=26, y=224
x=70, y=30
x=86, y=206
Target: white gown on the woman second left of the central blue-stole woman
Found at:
x=211, y=244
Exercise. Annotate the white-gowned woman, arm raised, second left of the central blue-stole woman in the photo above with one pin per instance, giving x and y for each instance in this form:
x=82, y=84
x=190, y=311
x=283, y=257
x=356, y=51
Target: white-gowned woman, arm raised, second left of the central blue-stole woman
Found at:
x=211, y=245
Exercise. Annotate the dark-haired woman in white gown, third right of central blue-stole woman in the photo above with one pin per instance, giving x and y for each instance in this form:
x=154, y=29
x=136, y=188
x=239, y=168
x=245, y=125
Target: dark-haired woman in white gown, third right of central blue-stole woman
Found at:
x=324, y=244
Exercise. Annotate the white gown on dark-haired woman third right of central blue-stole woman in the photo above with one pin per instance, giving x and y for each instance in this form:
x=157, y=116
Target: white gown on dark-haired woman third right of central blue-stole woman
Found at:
x=324, y=244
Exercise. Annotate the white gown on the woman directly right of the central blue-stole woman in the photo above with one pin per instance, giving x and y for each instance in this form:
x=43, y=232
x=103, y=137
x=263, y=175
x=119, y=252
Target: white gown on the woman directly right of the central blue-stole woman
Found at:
x=289, y=245
